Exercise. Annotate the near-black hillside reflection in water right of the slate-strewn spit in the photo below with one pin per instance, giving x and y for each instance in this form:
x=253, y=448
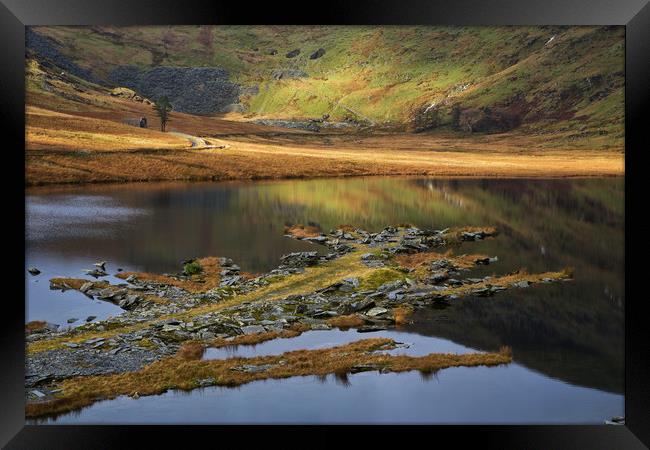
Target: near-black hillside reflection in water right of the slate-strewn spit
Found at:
x=555, y=330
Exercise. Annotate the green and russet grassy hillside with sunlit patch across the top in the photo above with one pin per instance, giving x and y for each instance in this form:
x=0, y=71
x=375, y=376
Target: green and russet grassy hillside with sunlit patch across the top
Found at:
x=538, y=79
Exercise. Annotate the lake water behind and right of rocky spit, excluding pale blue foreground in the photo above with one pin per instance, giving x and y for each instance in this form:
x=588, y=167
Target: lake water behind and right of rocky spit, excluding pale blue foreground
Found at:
x=569, y=331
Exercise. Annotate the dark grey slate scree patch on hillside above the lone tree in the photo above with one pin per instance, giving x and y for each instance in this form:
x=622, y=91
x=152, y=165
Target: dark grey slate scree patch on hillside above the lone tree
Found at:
x=195, y=90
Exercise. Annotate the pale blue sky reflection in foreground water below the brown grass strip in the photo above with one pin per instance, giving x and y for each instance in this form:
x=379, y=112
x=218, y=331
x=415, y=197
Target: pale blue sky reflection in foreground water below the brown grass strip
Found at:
x=462, y=395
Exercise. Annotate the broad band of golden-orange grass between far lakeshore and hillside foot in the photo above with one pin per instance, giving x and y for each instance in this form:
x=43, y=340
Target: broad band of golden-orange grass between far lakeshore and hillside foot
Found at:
x=67, y=152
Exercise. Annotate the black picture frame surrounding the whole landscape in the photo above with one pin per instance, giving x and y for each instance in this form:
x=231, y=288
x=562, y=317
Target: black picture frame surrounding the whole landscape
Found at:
x=633, y=14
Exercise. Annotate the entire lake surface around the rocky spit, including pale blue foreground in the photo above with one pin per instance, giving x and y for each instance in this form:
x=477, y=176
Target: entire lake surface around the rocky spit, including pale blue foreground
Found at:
x=567, y=338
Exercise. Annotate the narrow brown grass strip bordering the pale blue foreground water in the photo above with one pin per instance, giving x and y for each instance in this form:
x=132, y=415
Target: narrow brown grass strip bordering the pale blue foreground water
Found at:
x=178, y=373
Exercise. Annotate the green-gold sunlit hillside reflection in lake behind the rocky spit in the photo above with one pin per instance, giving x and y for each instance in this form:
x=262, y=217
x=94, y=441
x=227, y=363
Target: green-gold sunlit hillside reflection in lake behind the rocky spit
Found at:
x=543, y=223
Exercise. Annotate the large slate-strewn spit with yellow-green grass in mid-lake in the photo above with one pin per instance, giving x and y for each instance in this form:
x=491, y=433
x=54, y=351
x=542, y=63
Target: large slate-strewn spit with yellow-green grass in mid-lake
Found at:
x=368, y=281
